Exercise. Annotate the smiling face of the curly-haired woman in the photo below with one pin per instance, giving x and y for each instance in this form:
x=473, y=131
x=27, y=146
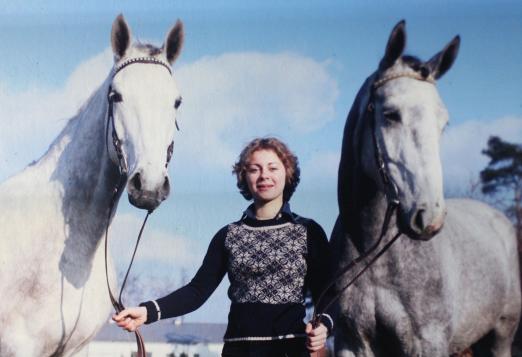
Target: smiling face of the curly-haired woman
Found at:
x=265, y=176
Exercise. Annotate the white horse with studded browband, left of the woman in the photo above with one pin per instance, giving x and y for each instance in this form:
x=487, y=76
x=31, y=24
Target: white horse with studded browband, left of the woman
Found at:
x=54, y=213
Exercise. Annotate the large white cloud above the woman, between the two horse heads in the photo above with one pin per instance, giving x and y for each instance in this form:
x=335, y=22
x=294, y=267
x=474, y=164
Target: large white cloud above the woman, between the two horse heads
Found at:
x=230, y=99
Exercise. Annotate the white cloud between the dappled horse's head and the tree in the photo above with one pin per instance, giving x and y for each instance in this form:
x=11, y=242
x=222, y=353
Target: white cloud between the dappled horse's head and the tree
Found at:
x=462, y=145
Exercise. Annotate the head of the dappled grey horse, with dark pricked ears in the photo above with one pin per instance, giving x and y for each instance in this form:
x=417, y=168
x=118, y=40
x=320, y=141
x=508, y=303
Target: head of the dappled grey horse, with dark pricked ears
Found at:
x=407, y=117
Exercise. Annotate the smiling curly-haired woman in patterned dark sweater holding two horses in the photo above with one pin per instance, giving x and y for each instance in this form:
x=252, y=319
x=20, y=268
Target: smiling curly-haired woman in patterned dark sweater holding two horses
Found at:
x=272, y=257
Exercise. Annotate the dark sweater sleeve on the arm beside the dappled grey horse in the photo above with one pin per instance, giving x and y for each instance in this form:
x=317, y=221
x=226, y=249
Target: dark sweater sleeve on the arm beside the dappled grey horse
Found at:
x=319, y=272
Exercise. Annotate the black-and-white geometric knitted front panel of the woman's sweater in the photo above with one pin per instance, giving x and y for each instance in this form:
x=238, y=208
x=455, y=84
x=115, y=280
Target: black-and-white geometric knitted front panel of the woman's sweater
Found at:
x=267, y=264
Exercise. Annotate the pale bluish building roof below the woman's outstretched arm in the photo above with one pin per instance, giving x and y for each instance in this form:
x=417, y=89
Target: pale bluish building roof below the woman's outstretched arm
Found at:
x=167, y=331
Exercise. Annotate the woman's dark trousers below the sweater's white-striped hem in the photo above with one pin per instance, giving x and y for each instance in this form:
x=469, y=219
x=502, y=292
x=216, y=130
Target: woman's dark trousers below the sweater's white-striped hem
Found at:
x=294, y=347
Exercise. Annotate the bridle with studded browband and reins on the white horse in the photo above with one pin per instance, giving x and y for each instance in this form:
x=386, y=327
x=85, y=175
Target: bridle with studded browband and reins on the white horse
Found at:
x=113, y=97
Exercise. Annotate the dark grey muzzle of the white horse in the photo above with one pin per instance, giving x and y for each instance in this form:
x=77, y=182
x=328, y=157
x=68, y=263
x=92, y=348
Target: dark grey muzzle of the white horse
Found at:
x=149, y=199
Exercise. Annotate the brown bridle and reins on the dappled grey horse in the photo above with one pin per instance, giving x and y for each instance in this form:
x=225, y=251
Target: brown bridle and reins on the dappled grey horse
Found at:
x=391, y=192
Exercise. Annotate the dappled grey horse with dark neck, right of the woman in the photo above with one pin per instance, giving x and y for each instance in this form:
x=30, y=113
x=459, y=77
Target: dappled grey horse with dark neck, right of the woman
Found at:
x=452, y=279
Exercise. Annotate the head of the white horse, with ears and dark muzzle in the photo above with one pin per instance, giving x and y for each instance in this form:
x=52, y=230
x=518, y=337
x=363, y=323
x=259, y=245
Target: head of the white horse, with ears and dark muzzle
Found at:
x=143, y=101
